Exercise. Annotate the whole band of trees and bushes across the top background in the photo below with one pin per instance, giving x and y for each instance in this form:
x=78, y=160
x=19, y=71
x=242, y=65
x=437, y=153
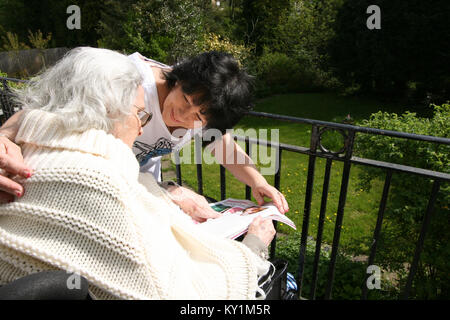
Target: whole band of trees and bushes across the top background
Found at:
x=289, y=45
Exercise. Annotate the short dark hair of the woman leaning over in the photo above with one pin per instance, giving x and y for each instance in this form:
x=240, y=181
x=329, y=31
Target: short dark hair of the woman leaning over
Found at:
x=217, y=83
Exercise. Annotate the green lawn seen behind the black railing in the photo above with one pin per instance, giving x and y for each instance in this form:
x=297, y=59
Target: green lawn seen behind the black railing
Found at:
x=361, y=206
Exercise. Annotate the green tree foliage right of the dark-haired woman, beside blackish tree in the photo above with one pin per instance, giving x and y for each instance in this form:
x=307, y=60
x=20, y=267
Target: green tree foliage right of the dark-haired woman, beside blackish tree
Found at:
x=293, y=56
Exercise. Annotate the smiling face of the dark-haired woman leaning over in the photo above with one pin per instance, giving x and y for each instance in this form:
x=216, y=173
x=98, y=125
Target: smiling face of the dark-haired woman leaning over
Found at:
x=180, y=111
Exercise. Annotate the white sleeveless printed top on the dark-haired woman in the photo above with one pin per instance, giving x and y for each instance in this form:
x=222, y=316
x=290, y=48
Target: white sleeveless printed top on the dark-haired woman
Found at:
x=156, y=139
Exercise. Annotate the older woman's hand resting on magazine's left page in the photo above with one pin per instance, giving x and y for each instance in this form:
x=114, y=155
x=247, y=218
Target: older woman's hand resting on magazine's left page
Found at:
x=192, y=203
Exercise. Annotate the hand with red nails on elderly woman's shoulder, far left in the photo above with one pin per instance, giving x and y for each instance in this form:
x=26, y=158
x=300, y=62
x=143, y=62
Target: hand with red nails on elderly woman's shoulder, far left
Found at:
x=11, y=163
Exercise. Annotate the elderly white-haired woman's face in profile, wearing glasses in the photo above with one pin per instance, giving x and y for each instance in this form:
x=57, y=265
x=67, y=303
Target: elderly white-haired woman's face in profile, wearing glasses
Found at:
x=131, y=128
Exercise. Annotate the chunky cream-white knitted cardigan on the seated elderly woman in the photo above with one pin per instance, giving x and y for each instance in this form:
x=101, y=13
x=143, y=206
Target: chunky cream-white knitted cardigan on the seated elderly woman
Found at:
x=84, y=211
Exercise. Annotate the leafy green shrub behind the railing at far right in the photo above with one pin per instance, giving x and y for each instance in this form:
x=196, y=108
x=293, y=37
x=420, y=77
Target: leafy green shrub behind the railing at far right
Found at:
x=409, y=196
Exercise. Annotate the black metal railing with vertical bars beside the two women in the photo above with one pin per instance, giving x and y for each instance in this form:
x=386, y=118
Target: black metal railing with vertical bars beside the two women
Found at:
x=317, y=150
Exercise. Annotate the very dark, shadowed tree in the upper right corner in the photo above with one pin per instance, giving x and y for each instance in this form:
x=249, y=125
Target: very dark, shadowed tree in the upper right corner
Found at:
x=410, y=49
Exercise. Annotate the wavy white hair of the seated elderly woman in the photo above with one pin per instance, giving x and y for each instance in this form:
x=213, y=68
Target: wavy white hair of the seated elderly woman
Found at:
x=89, y=88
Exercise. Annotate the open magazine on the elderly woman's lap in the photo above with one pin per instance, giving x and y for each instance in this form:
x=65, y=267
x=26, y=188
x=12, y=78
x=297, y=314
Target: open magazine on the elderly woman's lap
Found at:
x=237, y=215
